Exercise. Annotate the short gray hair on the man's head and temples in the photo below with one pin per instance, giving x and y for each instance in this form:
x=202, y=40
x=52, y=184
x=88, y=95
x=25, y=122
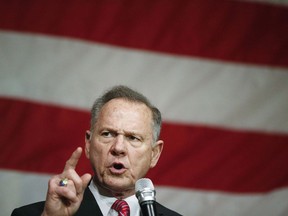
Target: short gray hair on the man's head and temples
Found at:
x=130, y=95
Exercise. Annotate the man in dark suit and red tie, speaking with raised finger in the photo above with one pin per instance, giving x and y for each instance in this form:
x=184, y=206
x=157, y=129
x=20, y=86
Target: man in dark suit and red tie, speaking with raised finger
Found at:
x=122, y=145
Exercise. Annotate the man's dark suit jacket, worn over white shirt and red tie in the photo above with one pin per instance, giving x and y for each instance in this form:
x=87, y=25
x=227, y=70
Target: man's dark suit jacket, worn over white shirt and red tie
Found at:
x=88, y=207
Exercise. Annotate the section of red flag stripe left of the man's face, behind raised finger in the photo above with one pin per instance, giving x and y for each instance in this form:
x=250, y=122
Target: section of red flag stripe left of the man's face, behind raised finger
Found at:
x=40, y=138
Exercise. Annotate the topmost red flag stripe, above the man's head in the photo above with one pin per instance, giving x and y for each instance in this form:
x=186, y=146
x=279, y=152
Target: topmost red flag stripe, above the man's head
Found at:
x=226, y=30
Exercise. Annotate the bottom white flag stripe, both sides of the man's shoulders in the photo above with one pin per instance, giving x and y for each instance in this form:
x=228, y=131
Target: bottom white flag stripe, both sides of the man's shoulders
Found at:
x=19, y=189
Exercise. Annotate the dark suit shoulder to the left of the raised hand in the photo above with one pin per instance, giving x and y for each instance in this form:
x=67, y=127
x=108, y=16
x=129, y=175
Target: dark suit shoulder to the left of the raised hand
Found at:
x=34, y=209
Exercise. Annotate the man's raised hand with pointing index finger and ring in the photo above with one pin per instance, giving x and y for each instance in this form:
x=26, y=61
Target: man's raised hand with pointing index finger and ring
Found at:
x=65, y=200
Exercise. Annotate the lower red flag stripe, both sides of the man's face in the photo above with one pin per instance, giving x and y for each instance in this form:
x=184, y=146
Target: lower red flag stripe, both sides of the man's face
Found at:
x=40, y=138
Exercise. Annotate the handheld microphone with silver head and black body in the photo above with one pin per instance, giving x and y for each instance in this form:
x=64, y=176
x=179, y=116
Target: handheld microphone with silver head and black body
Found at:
x=145, y=194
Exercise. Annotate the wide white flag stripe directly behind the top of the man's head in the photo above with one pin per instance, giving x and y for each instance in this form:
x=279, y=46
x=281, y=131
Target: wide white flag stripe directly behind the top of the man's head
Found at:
x=72, y=73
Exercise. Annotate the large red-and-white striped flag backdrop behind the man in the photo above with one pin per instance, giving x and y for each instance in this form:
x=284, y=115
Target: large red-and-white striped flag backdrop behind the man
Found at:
x=218, y=71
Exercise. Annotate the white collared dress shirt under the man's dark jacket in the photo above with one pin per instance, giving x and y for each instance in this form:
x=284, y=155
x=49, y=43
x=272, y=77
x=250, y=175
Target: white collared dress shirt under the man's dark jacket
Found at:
x=105, y=203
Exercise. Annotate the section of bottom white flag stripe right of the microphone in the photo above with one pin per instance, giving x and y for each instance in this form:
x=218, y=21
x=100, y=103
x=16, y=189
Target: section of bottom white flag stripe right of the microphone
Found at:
x=202, y=203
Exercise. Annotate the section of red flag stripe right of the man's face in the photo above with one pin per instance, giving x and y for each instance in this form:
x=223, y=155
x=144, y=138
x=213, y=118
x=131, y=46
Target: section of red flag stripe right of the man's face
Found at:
x=220, y=159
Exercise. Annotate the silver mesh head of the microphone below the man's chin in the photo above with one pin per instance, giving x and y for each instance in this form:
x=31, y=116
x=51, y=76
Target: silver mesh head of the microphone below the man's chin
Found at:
x=145, y=190
